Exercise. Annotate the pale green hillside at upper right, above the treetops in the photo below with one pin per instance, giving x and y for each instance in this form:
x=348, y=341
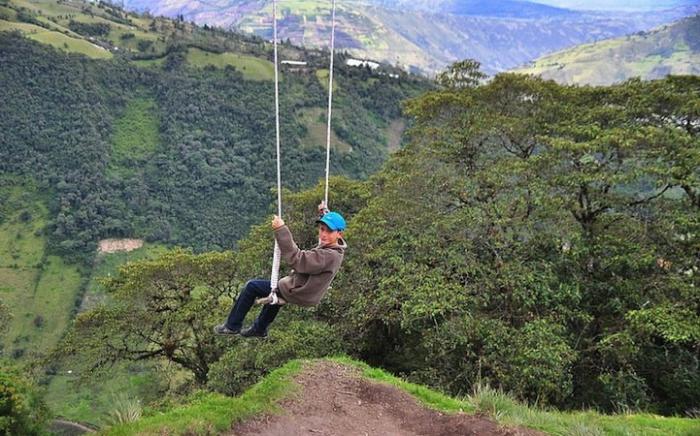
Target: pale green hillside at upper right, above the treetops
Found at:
x=672, y=49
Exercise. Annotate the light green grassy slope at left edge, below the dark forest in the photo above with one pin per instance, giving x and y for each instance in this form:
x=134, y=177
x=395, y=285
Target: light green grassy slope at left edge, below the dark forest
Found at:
x=39, y=290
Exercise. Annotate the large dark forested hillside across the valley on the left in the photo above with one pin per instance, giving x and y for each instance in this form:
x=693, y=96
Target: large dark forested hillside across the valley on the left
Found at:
x=121, y=126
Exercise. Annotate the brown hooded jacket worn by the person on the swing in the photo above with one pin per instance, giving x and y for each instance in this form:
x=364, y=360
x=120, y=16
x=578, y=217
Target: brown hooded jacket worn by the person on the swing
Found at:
x=313, y=269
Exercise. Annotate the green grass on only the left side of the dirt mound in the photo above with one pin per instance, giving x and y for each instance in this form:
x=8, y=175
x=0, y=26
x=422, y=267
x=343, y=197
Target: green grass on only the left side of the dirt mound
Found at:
x=211, y=413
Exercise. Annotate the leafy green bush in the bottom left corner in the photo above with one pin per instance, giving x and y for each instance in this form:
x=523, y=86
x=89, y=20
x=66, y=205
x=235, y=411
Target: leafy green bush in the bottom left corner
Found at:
x=22, y=410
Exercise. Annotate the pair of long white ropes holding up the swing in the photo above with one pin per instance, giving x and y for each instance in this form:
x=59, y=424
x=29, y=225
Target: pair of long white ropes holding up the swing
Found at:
x=274, y=276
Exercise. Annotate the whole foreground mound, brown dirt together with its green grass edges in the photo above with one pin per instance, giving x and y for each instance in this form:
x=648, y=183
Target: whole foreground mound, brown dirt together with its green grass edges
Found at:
x=343, y=396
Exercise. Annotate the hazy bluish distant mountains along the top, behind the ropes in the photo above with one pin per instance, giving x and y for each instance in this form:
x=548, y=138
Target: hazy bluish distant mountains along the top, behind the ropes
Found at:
x=426, y=35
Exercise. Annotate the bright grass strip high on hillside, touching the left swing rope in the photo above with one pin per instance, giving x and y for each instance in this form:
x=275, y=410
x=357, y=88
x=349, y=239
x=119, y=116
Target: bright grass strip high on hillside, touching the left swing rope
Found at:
x=251, y=67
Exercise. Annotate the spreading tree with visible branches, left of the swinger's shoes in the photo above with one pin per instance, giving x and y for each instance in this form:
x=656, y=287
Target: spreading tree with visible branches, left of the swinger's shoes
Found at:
x=159, y=309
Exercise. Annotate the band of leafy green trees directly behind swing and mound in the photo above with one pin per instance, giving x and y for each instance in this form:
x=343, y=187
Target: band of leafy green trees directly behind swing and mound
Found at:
x=537, y=238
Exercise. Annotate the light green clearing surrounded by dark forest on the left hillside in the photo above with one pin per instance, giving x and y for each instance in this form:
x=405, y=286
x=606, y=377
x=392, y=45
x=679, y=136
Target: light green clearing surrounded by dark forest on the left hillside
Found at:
x=135, y=133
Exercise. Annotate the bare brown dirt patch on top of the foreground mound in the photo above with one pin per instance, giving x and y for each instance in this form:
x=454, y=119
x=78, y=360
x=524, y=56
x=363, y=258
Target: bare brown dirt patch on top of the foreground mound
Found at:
x=334, y=400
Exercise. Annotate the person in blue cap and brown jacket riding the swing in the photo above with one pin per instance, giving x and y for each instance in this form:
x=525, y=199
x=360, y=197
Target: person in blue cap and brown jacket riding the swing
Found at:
x=312, y=273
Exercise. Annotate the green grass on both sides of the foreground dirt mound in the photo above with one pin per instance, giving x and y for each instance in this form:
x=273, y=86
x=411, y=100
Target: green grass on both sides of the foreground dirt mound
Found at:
x=211, y=413
